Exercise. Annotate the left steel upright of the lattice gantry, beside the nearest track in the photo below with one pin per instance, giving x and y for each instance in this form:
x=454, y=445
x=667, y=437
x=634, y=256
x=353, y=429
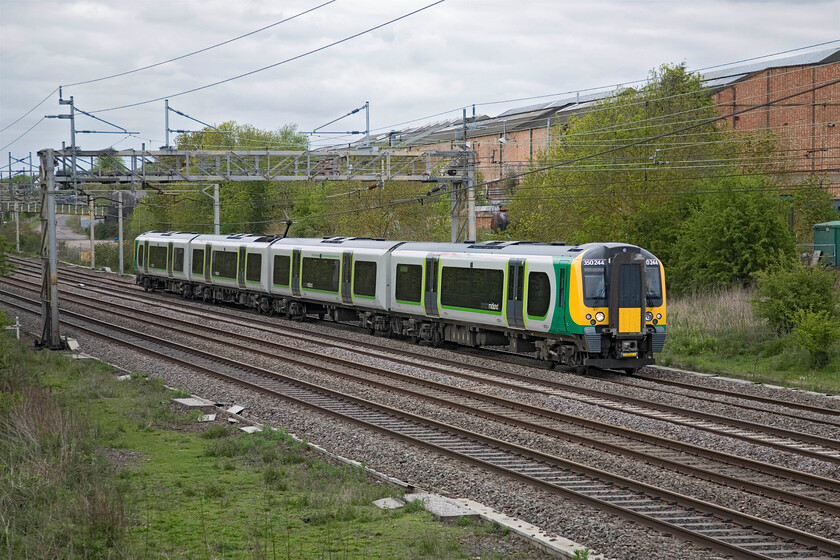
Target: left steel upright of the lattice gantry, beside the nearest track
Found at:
x=50, y=336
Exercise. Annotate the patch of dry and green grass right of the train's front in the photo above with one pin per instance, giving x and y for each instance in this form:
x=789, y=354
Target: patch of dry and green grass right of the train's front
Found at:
x=718, y=332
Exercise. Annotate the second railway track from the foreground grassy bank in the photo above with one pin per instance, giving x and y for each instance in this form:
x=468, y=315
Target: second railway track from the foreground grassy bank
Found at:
x=759, y=478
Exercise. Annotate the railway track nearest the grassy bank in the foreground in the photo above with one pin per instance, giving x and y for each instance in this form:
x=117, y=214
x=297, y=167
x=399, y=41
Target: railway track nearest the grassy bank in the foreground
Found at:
x=722, y=529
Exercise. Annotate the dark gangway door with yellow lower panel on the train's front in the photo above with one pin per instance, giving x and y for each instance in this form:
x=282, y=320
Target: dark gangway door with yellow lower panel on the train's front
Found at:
x=627, y=291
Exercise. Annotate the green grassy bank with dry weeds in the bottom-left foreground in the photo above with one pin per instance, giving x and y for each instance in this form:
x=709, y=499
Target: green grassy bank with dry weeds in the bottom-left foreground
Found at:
x=91, y=467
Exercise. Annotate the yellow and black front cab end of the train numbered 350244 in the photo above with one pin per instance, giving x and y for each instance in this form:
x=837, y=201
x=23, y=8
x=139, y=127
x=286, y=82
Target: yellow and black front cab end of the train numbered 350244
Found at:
x=622, y=308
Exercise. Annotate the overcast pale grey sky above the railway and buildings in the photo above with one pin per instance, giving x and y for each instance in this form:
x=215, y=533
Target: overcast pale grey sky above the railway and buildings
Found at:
x=428, y=66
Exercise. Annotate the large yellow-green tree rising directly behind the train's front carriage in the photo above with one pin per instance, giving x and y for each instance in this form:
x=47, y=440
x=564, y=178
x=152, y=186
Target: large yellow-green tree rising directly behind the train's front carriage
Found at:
x=609, y=182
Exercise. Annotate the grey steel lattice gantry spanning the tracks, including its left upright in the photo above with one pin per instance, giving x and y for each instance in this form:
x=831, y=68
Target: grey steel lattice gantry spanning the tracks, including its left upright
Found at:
x=453, y=170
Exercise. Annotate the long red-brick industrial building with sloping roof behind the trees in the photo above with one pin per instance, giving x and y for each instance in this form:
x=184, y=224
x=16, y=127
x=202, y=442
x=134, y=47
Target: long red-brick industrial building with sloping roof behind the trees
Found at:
x=797, y=99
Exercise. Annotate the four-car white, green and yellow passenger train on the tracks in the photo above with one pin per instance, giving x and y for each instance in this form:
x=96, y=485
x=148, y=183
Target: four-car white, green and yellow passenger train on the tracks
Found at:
x=594, y=305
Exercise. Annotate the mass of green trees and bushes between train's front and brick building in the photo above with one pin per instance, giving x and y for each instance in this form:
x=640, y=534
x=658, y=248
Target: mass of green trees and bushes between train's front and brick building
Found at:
x=655, y=167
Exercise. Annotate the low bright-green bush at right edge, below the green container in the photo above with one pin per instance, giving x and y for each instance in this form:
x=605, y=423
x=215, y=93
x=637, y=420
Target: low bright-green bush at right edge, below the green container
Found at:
x=785, y=291
